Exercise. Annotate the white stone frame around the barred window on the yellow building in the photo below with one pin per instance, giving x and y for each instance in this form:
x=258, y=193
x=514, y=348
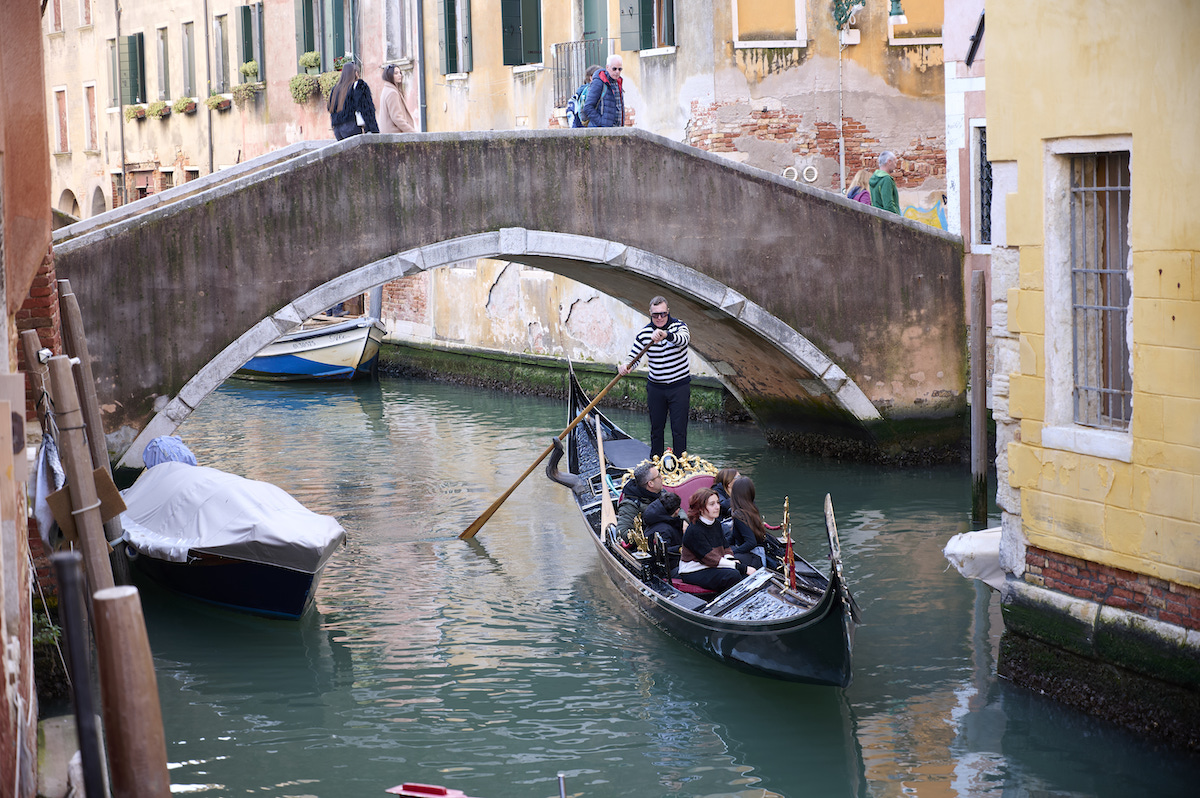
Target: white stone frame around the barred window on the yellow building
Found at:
x=1061, y=431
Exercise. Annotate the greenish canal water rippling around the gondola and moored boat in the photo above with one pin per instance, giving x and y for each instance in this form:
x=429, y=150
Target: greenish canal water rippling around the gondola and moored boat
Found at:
x=494, y=665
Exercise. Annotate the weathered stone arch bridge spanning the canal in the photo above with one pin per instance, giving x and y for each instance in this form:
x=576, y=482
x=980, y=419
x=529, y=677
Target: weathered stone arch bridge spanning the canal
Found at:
x=829, y=320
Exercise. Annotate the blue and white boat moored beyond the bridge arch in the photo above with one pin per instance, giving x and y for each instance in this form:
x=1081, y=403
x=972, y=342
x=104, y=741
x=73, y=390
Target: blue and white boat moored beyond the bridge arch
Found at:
x=323, y=347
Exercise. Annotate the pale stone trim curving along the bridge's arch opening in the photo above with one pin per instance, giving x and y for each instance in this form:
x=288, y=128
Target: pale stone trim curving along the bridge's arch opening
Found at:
x=548, y=250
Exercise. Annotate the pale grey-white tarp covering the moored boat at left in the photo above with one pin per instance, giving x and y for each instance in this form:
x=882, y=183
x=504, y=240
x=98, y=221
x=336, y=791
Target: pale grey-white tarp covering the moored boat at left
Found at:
x=176, y=508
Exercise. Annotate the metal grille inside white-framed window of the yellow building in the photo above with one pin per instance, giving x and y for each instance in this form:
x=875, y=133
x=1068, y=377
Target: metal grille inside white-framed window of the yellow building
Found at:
x=1100, y=289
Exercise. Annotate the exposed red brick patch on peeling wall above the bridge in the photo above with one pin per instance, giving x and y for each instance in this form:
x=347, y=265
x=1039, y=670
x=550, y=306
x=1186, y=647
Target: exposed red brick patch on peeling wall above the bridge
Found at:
x=925, y=158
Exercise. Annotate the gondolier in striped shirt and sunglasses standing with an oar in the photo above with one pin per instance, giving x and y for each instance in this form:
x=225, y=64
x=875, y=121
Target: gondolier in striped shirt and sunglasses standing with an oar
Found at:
x=669, y=386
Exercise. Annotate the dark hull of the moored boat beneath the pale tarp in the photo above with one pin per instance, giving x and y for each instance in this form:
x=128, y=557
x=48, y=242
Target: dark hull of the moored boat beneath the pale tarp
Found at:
x=236, y=585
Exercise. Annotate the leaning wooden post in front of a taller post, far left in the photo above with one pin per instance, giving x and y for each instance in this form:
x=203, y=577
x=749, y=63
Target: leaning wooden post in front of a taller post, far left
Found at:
x=77, y=465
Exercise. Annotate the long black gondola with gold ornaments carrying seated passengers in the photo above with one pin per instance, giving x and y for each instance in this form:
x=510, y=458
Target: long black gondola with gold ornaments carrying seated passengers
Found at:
x=763, y=626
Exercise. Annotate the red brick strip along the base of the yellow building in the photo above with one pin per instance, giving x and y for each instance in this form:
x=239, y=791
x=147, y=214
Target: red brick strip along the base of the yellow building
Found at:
x=1147, y=596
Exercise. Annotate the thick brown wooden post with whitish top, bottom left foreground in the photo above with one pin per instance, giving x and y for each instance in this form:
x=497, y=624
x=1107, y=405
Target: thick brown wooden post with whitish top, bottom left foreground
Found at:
x=137, y=747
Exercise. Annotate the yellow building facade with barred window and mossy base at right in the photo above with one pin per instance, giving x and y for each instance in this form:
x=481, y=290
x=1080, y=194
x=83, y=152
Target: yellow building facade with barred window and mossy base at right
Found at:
x=1093, y=124
